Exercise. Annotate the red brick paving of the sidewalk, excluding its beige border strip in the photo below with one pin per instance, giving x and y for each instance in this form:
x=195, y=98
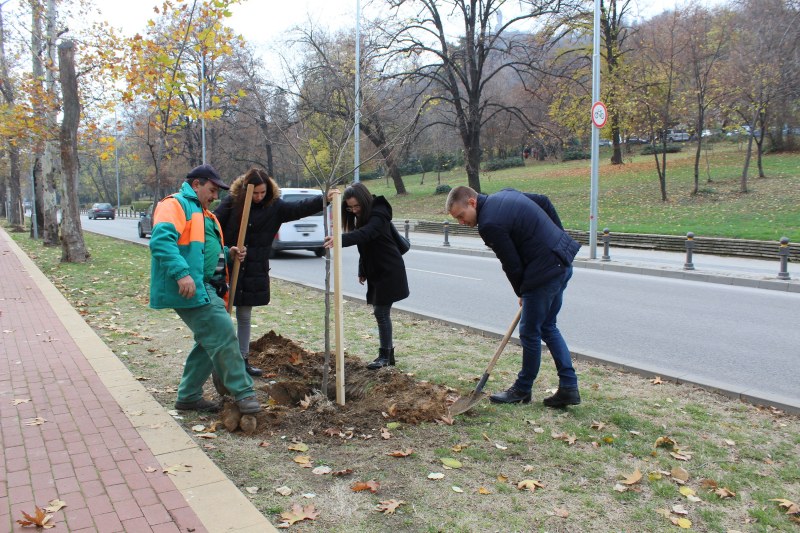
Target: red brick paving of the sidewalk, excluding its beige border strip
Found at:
x=70, y=440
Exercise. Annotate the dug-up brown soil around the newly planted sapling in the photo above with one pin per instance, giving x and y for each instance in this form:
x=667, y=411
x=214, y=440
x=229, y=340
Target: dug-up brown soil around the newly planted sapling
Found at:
x=295, y=405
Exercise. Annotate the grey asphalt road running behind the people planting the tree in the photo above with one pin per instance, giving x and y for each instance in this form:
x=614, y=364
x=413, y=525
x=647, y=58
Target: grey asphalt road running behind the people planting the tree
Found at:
x=738, y=339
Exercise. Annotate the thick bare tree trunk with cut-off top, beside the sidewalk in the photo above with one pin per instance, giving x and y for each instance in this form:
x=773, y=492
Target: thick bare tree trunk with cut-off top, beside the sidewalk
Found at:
x=73, y=248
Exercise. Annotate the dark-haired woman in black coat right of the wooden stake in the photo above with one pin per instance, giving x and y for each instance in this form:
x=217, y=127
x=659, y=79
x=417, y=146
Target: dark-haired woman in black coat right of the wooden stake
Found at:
x=366, y=221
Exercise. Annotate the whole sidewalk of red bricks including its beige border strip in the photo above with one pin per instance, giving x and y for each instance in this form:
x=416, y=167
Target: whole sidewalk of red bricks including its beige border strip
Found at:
x=76, y=426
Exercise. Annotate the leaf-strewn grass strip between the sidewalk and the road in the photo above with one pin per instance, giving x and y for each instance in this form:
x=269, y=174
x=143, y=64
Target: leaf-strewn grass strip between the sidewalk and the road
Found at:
x=585, y=459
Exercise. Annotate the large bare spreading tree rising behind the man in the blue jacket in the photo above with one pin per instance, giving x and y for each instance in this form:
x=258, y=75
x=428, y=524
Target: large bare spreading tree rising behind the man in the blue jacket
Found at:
x=457, y=73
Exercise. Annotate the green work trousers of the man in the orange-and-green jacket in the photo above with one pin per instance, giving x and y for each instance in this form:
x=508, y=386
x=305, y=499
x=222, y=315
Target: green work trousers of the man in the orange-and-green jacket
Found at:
x=216, y=348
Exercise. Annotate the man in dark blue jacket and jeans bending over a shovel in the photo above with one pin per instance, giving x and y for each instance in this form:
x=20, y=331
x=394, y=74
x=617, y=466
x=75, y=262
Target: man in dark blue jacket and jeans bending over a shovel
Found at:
x=525, y=233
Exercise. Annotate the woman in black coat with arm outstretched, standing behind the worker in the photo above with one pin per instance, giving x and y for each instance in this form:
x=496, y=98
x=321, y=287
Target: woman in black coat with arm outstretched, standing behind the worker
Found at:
x=267, y=212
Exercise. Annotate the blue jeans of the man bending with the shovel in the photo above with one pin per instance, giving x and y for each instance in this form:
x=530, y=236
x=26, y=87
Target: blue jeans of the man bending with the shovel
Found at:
x=540, y=308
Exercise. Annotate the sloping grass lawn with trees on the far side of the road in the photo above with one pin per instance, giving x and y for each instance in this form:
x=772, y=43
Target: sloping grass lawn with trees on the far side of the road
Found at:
x=629, y=199
